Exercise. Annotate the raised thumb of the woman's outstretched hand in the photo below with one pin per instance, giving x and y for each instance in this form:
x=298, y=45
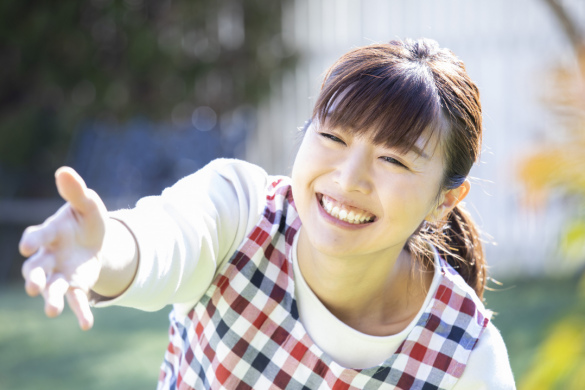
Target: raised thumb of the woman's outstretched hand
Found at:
x=72, y=189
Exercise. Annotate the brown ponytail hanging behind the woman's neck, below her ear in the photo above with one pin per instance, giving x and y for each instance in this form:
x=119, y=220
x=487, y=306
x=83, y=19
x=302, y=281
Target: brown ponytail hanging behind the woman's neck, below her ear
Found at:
x=458, y=242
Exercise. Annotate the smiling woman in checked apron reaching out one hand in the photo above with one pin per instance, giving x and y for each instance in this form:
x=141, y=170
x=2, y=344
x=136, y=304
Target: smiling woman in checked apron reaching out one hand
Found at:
x=360, y=271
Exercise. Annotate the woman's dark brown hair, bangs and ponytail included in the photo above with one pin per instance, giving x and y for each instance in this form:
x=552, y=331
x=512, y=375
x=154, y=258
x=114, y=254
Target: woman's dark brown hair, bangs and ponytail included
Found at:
x=398, y=92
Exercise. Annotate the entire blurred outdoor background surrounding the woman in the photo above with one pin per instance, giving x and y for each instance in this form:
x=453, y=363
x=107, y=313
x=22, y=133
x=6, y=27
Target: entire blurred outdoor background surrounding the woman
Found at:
x=135, y=94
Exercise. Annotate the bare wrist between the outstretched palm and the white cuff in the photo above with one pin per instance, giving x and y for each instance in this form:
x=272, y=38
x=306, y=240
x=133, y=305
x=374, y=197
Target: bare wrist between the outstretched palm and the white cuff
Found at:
x=119, y=257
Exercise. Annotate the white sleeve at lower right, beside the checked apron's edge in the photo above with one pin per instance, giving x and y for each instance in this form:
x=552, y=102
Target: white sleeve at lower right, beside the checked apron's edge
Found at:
x=488, y=366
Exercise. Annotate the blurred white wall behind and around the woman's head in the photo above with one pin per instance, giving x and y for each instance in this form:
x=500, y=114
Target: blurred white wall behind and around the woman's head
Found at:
x=507, y=46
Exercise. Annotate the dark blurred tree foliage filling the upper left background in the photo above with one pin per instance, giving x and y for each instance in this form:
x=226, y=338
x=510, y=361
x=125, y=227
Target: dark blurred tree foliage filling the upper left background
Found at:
x=111, y=60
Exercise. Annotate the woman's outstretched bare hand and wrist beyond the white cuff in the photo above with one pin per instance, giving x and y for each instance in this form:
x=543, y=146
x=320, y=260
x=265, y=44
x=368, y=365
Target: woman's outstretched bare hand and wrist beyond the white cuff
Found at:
x=77, y=249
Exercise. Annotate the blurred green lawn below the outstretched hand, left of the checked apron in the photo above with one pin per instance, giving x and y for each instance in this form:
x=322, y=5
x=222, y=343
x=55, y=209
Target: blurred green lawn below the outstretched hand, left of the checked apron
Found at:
x=124, y=350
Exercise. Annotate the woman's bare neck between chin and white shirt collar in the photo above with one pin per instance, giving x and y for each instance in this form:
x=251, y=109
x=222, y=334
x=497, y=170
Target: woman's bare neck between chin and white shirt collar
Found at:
x=377, y=294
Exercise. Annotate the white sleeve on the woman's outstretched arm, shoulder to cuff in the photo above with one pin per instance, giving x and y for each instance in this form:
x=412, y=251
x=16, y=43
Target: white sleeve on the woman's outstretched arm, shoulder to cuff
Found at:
x=188, y=231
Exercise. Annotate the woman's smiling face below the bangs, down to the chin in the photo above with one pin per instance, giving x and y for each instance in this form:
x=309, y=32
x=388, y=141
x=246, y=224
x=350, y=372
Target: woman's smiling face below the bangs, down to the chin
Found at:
x=357, y=198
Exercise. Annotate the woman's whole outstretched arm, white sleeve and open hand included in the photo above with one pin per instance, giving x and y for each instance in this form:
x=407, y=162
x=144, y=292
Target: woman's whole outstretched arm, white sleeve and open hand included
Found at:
x=166, y=250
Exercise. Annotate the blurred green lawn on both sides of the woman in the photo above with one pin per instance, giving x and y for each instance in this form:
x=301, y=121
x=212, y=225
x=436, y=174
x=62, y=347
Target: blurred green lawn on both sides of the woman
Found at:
x=125, y=347
